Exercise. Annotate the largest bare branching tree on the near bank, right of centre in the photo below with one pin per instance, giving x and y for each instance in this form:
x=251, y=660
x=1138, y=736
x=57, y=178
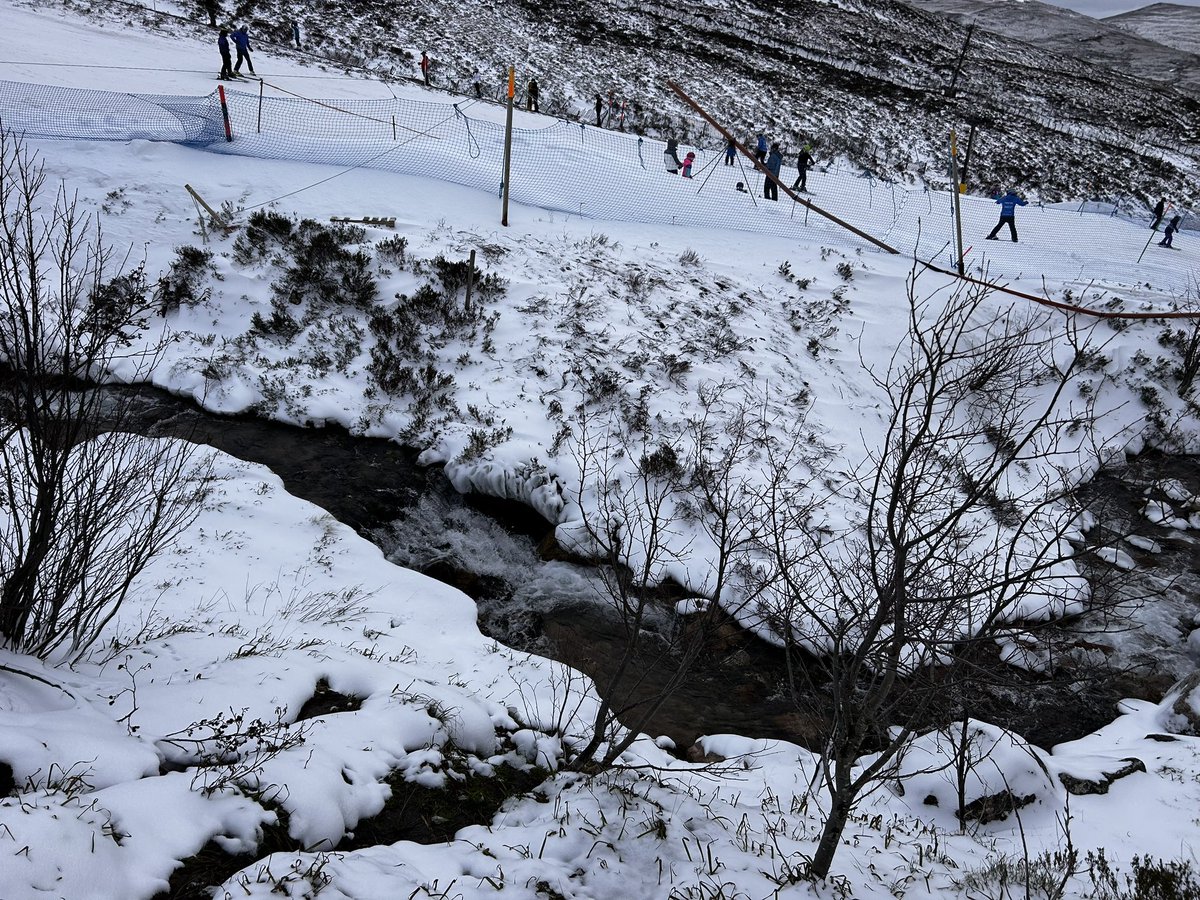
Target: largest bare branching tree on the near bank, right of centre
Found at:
x=965, y=527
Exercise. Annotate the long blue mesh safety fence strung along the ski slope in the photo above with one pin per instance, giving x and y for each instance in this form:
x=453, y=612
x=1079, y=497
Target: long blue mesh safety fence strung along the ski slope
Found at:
x=601, y=175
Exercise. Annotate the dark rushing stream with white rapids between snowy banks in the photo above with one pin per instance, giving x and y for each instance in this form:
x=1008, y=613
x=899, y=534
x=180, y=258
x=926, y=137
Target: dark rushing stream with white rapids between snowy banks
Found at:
x=490, y=550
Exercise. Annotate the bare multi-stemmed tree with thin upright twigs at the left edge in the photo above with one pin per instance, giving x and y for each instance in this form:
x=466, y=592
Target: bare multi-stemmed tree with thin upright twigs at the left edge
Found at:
x=85, y=503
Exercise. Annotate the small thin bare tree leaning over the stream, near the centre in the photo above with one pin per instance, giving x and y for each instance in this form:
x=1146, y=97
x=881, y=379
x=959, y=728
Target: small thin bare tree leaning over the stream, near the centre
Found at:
x=661, y=509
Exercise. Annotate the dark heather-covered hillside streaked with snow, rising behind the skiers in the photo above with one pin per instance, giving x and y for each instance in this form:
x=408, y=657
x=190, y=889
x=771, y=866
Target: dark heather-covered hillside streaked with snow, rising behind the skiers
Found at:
x=865, y=80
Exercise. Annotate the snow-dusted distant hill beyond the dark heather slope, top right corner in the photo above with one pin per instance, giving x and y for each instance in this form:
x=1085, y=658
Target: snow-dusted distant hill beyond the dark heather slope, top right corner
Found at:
x=1160, y=43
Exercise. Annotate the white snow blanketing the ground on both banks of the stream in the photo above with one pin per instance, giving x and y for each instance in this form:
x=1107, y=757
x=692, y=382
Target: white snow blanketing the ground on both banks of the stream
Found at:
x=135, y=759
